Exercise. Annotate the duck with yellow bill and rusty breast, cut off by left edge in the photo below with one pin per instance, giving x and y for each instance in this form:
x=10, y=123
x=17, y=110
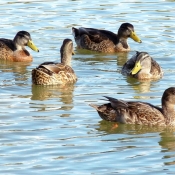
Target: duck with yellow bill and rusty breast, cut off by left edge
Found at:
x=14, y=50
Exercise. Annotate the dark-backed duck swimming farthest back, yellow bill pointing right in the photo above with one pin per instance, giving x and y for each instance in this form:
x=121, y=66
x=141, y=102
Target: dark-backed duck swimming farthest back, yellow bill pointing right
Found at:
x=104, y=40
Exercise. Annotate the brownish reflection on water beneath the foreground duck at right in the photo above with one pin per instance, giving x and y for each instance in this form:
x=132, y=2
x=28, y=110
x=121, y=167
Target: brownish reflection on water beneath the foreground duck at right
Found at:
x=167, y=136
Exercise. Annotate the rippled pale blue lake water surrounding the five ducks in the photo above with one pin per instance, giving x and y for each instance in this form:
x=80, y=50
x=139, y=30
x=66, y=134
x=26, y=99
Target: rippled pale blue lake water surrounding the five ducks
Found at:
x=53, y=130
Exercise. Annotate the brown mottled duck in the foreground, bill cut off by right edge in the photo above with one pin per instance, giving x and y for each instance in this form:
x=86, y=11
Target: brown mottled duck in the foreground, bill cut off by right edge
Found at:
x=136, y=112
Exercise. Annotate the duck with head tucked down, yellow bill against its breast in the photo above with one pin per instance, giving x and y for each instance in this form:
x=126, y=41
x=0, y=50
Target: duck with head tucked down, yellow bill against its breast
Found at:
x=142, y=67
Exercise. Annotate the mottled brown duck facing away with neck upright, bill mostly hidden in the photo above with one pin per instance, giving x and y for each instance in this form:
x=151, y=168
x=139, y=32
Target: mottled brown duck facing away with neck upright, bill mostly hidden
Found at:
x=52, y=73
